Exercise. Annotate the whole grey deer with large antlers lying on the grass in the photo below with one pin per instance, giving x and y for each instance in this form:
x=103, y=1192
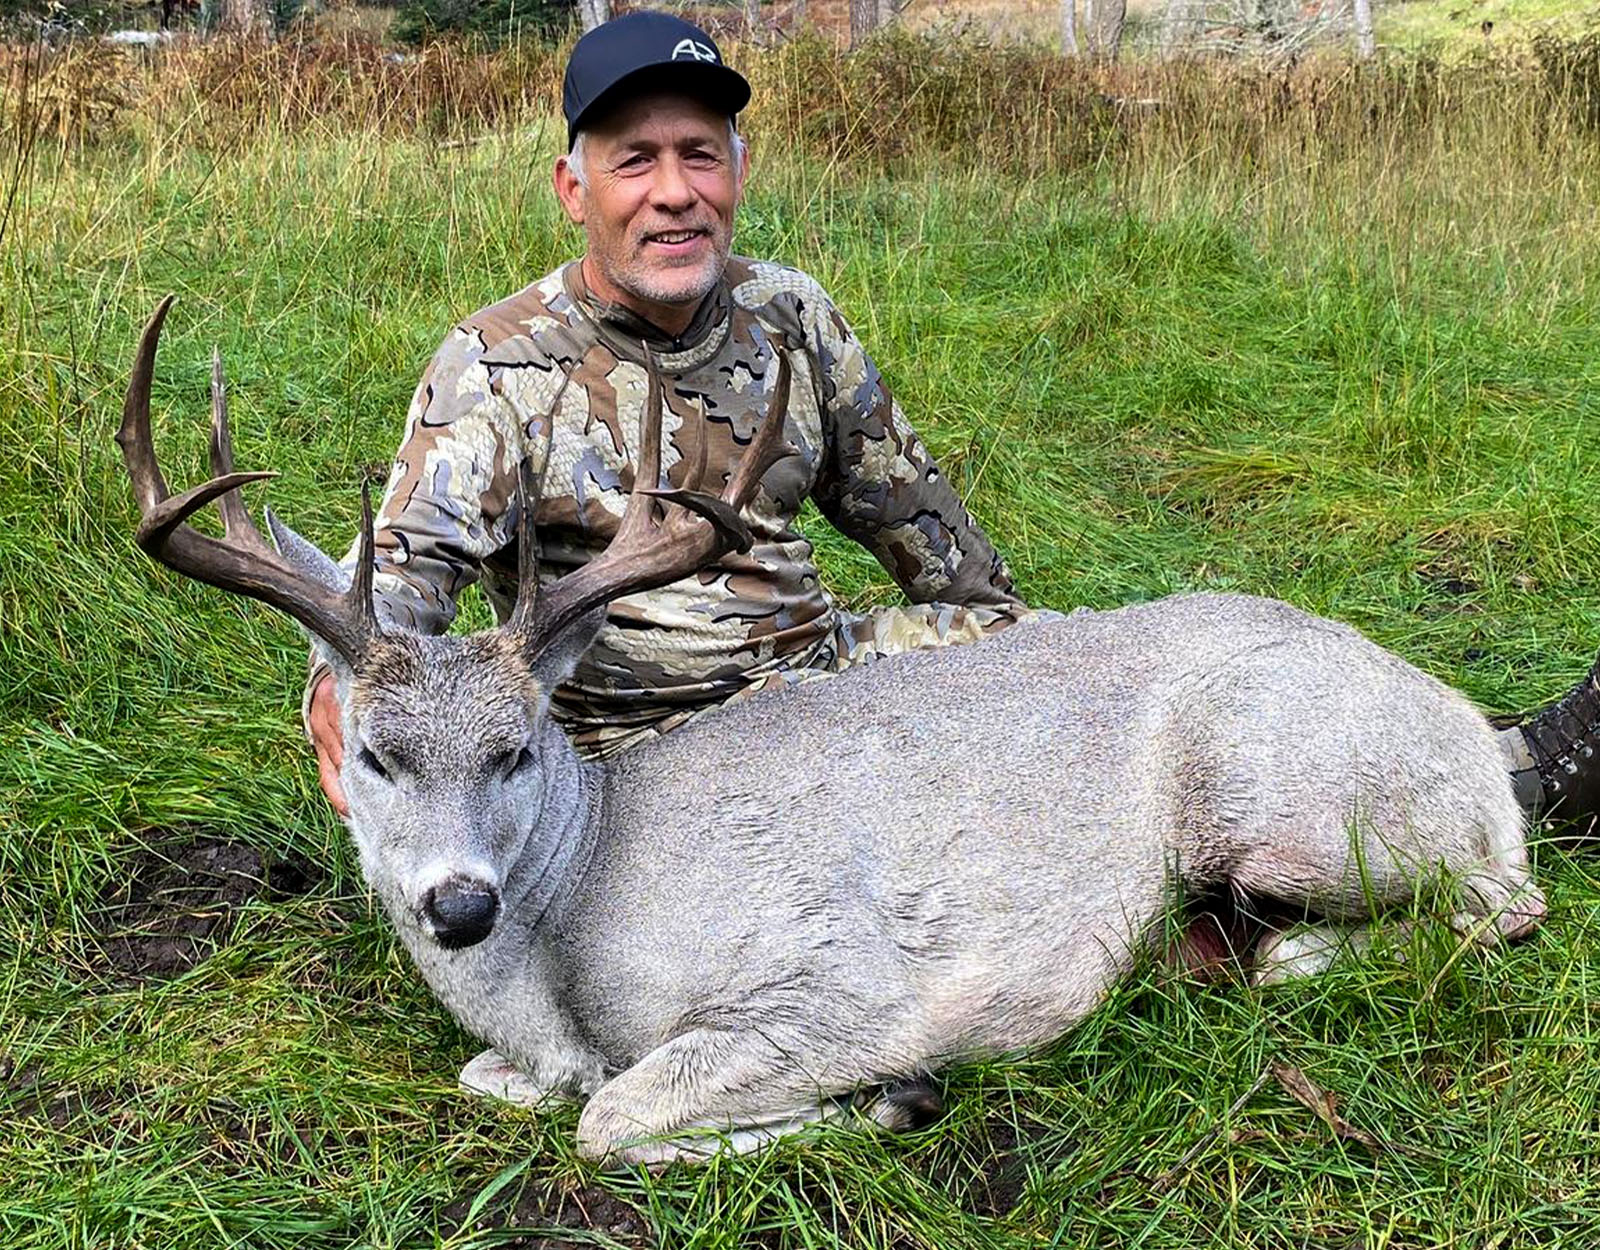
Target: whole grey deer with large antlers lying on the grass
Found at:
x=796, y=908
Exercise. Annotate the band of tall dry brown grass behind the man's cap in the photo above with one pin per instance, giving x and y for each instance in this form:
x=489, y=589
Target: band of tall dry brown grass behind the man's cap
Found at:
x=905, y=97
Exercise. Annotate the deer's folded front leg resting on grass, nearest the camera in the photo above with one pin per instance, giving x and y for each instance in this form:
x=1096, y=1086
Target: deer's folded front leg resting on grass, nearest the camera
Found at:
x=703, y=1092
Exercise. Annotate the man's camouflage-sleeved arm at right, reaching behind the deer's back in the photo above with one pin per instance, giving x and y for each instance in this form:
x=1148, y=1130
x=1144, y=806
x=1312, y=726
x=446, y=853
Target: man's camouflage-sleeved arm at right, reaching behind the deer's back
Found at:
x=881, y=487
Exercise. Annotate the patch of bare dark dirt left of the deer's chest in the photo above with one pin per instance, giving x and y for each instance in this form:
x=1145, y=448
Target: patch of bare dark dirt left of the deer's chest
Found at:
x=182, y=897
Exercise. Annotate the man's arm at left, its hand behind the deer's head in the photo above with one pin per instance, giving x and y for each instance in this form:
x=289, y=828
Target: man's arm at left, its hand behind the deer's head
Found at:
x=444, y=511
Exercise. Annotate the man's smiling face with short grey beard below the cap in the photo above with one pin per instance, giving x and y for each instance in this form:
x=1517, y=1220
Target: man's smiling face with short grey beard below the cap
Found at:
x=658, y=209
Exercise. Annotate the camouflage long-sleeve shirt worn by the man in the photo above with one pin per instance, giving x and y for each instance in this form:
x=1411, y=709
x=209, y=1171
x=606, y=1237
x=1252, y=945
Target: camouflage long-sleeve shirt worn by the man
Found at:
x=495, y=395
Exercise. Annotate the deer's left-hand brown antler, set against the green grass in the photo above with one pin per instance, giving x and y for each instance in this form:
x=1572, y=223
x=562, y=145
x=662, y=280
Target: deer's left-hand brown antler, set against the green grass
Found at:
x=242, y=561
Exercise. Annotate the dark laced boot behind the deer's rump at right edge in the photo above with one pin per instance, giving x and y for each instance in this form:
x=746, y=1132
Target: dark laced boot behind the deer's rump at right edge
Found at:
x=1556, y=755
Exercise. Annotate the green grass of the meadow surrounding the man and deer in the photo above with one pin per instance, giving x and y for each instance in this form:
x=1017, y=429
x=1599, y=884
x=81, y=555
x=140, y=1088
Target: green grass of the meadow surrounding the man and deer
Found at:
x=1342, y=366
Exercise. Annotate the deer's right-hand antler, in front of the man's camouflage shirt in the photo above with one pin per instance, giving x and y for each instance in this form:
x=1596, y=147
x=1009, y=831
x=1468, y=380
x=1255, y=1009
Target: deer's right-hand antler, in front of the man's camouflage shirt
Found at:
x=666, y=534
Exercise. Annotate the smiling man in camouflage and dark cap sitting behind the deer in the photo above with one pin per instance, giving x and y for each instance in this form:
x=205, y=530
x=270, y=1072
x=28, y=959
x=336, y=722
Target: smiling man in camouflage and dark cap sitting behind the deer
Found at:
x=654, y=174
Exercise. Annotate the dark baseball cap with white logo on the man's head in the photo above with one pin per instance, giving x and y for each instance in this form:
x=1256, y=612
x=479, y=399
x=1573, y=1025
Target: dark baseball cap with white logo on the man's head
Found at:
x=647, y=52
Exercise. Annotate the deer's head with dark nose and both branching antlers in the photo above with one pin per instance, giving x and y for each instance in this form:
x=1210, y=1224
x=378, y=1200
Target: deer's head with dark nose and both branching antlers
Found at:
x=454, y=772
